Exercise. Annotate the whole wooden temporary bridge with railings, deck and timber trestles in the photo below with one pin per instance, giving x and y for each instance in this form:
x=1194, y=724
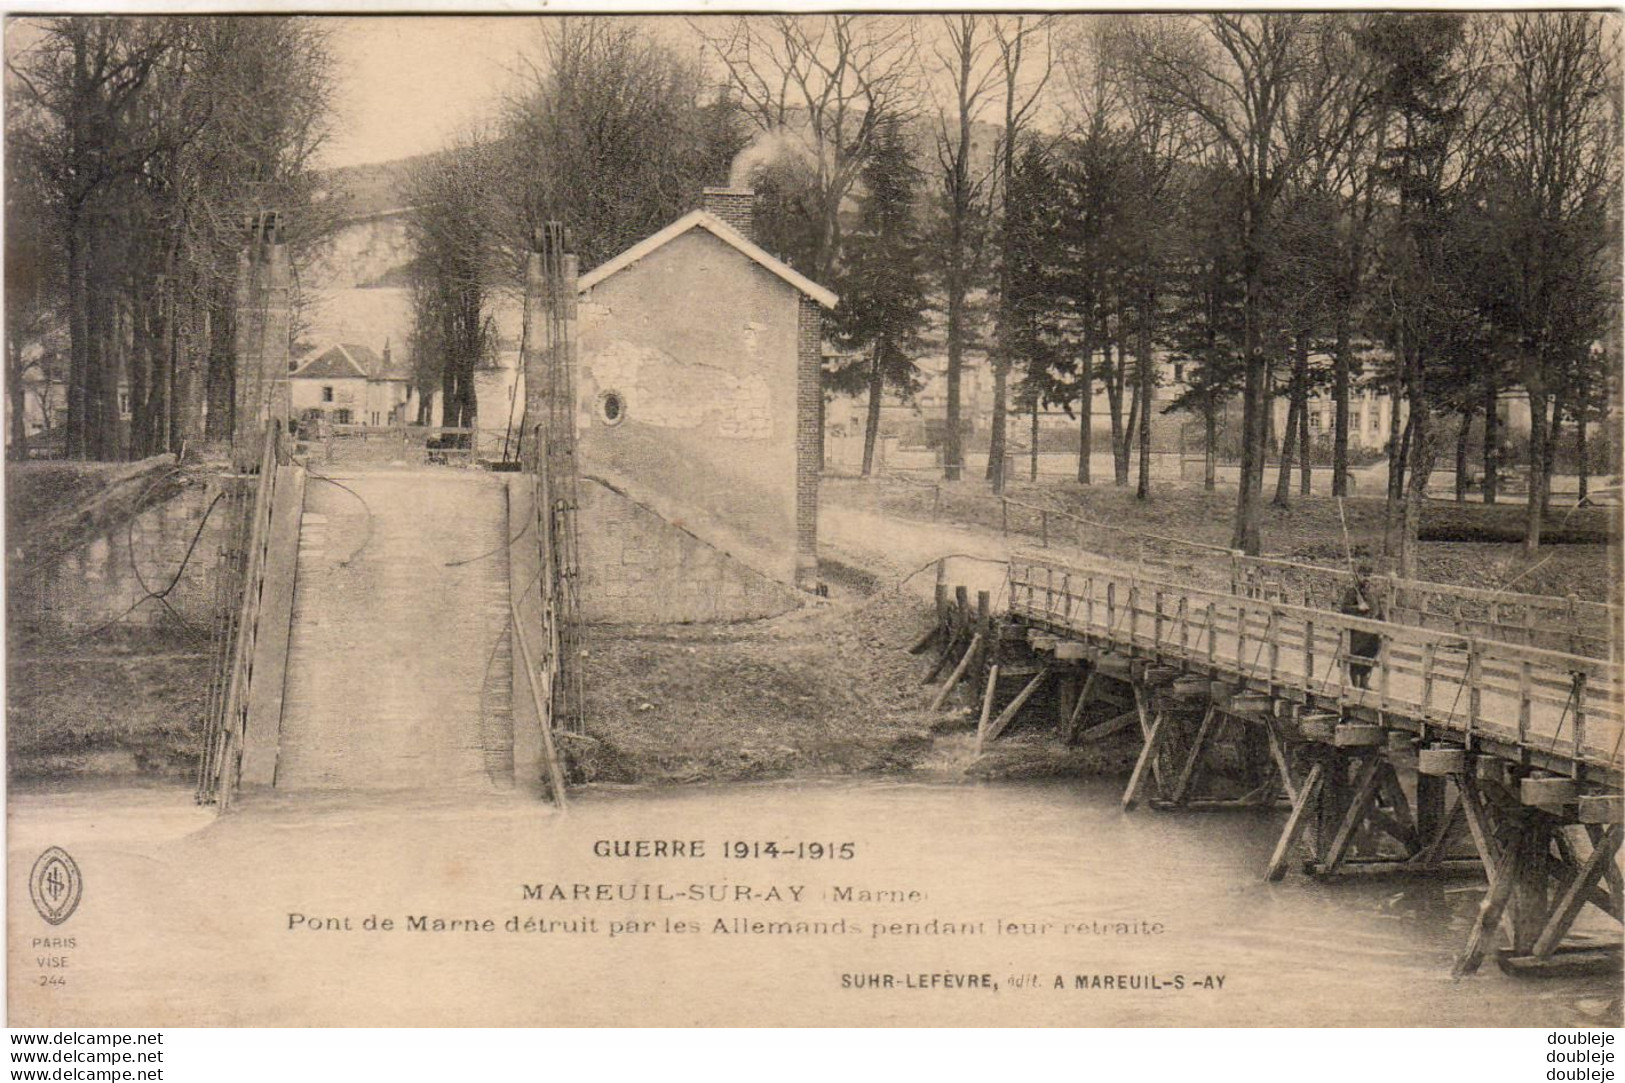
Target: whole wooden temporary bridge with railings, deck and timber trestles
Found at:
x=1449, y=739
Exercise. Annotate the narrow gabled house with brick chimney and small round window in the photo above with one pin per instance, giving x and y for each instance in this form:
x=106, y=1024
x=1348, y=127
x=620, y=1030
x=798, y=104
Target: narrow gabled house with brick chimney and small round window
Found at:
x=698, y=425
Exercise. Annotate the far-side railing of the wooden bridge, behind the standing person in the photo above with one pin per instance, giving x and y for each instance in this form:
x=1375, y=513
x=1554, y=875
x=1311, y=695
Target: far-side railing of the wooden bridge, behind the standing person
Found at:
x=1535, y=620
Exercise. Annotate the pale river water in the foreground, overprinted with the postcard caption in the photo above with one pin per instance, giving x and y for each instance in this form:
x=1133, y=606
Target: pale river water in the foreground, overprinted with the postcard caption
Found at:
x=1072, y=913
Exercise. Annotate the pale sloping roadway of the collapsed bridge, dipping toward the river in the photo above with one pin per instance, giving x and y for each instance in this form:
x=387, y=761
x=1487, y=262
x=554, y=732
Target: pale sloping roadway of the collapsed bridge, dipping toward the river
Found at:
x=399, y=666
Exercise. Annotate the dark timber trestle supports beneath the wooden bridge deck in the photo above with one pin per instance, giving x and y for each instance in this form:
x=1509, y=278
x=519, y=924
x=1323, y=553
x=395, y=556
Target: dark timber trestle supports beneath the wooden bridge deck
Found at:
x=1364, y=793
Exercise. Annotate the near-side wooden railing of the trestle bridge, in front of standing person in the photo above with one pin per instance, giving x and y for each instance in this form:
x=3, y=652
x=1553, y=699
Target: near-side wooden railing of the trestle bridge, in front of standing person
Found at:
x=1559, y=708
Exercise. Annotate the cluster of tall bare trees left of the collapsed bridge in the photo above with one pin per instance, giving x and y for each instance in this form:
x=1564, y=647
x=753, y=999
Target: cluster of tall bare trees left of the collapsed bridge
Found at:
x=139, y=150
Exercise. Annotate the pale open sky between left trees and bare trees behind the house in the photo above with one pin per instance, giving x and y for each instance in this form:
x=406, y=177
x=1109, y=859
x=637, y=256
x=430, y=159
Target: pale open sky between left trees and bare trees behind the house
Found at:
x=410, y=85
